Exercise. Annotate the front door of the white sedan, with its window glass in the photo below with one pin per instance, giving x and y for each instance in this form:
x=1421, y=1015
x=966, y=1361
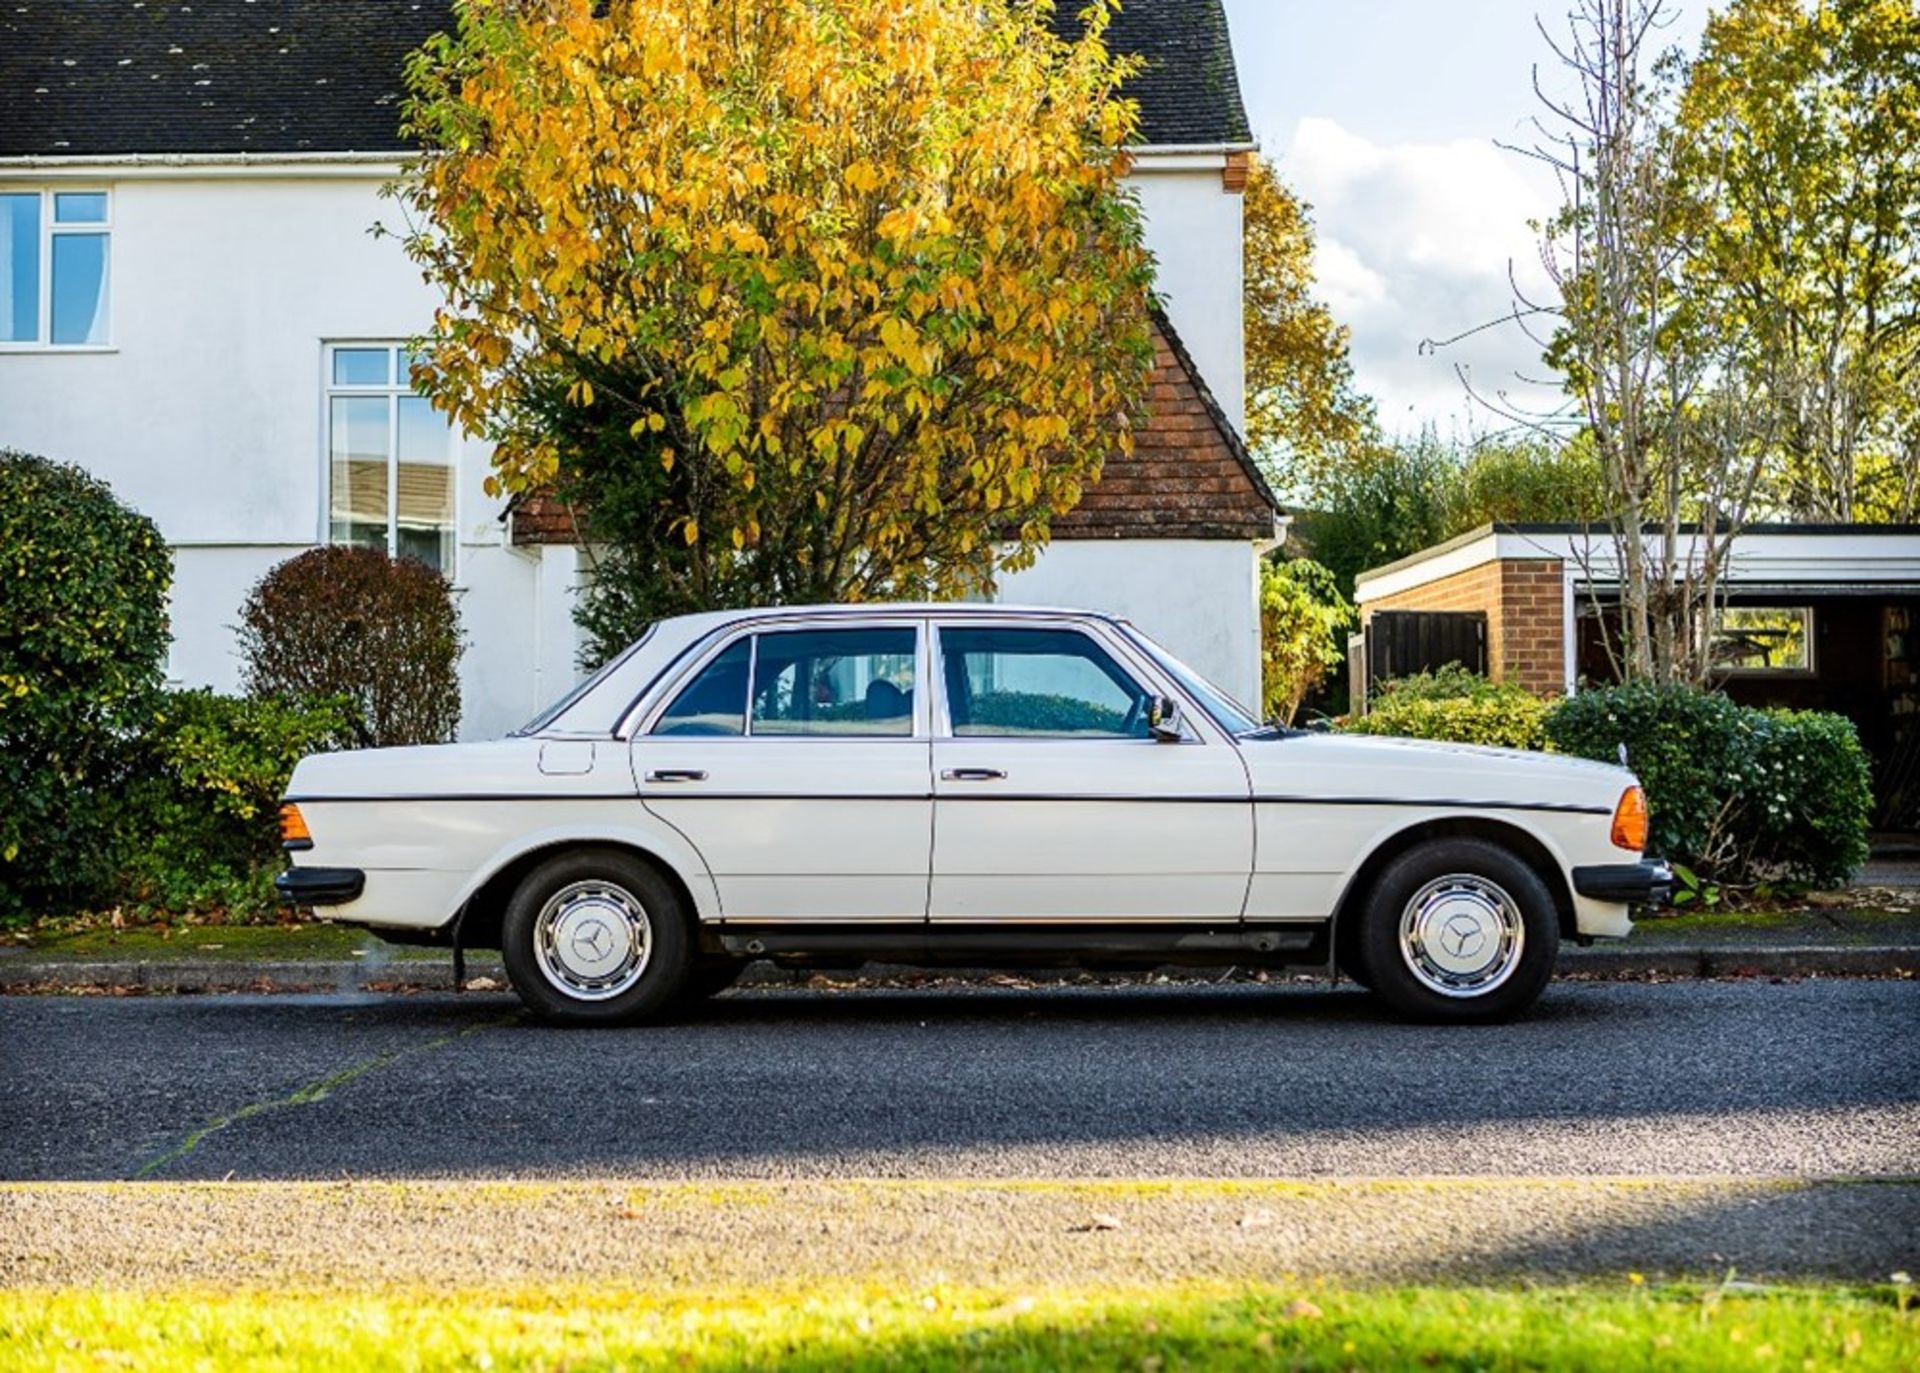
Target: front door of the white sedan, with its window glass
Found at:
x=1053, y=800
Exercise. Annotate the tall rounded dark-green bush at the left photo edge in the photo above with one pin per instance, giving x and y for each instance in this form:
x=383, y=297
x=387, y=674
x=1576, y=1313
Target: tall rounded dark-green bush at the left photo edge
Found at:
x=84, y=635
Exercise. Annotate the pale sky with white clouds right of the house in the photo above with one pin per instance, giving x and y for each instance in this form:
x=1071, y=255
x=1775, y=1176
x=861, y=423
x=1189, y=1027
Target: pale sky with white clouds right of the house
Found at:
x=1387, y=116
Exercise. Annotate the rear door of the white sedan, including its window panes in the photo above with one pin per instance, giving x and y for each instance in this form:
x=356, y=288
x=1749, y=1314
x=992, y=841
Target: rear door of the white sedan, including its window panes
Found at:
x=796, y=759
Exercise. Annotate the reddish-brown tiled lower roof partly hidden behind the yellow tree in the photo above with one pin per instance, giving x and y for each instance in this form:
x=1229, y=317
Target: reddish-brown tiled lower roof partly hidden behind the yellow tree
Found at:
x=1189, y=475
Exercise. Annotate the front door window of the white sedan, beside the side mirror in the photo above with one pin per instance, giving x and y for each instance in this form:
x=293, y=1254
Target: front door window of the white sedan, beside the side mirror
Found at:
x=1040, y=683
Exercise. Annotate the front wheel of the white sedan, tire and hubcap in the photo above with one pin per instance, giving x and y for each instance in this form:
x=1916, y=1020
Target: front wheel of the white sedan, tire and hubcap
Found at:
x=1481, y=894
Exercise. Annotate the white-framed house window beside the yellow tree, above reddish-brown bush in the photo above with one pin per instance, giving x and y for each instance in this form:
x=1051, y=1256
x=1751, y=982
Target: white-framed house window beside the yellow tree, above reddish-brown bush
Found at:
x=389, y=458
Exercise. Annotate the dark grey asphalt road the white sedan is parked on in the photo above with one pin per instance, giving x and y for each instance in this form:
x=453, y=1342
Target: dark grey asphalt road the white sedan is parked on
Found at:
x=1739, y=1078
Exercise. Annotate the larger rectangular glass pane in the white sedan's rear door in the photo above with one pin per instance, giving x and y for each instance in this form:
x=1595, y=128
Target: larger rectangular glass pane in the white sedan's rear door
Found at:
x=842, y=683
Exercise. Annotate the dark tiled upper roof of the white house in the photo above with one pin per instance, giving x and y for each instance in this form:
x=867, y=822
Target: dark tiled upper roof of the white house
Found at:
x=325, y=76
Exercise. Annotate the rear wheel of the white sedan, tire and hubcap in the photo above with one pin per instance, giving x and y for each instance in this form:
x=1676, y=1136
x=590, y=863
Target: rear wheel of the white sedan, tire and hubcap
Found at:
x=562, y=902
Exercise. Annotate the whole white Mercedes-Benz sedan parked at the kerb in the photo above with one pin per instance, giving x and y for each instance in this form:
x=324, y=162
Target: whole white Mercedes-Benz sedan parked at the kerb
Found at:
x=959, y=784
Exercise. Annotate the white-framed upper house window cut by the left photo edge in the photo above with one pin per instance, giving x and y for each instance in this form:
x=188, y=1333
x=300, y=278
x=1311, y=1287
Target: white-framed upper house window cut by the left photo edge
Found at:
x=55, y=268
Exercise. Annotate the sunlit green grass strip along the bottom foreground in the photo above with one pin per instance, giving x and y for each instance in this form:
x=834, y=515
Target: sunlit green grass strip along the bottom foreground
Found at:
x=1180, y=1326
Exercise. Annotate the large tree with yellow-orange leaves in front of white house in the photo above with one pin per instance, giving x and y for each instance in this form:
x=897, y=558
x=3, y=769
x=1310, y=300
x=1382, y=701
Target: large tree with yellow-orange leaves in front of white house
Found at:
x=844, y=299
